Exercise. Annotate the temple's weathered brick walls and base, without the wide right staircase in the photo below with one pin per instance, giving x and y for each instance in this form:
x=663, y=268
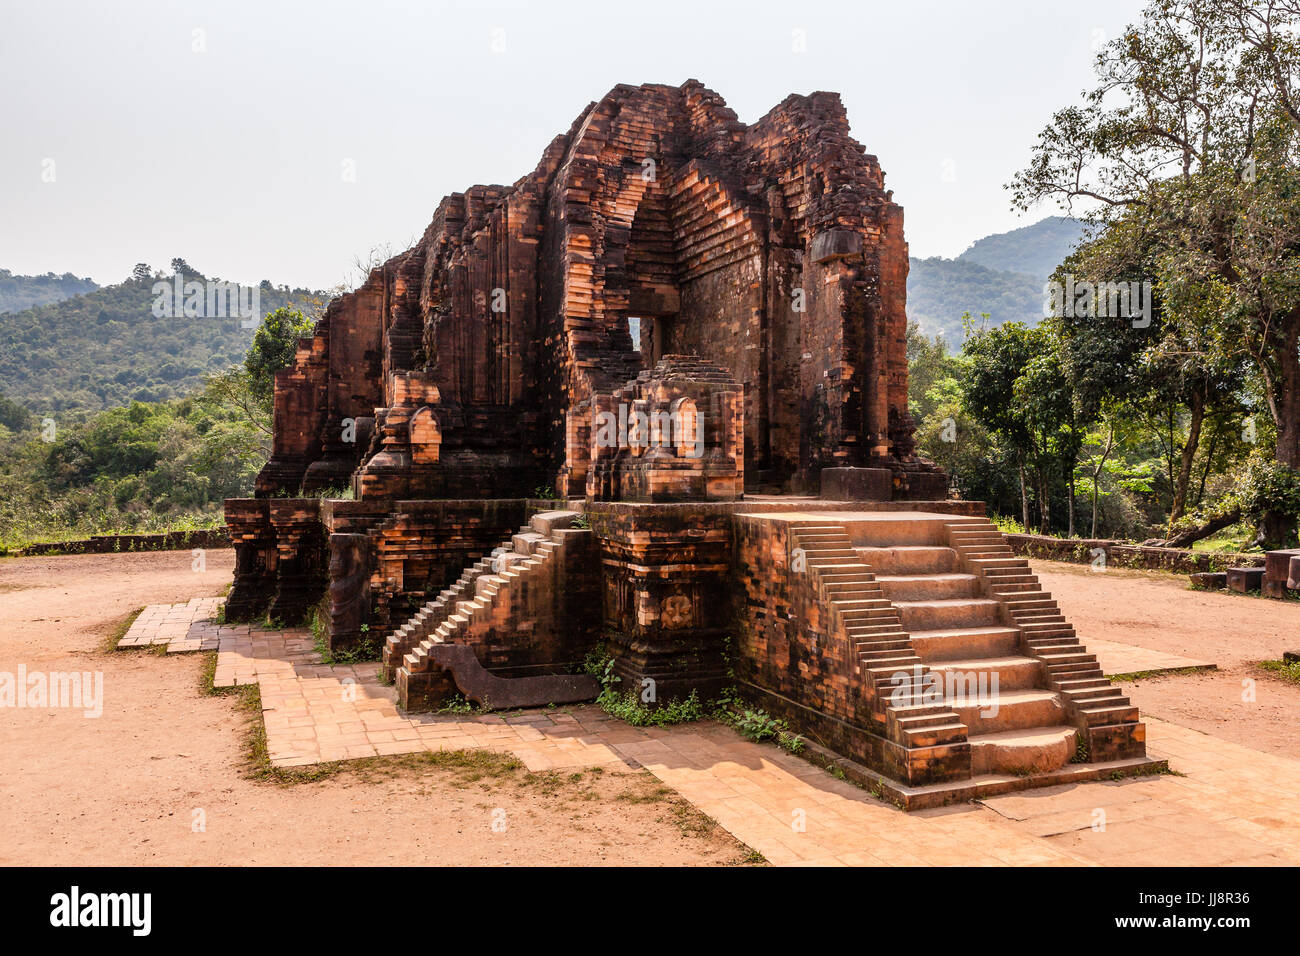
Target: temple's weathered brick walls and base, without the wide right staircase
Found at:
x=768, y=269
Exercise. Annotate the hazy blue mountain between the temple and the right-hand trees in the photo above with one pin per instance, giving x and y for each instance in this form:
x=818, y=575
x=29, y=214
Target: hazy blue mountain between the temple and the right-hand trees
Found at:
x=1002, y=275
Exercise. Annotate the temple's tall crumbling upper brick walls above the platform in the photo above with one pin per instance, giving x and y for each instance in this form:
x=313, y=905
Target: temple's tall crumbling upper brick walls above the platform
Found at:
x=773, y=250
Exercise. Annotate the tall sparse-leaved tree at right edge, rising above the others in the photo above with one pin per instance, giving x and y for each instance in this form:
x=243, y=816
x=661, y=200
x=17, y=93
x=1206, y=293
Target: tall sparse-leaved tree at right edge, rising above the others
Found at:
x=1193, y=135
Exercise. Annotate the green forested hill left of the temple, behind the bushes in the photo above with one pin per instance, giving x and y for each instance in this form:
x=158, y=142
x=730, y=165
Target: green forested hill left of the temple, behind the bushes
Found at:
x=107, y=348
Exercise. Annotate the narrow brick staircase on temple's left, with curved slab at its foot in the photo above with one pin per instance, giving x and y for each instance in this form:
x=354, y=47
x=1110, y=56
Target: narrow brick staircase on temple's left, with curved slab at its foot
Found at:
x=437, y=644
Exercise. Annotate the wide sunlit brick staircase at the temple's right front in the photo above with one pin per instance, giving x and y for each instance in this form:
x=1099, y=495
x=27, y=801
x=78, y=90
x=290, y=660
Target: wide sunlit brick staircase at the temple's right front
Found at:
x=995, y=667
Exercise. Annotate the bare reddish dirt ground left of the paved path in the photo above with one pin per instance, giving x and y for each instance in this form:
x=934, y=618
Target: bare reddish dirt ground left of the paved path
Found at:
x=129, y=788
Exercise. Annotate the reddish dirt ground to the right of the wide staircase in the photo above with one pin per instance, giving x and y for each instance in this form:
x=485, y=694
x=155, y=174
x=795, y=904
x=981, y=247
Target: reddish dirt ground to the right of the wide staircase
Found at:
x=1156, y=611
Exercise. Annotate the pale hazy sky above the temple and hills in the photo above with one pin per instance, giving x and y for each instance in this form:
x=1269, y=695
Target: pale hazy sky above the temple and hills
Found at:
x=220, y=132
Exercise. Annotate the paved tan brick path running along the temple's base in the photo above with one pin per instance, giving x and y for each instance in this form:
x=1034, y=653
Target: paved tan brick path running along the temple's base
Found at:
x=1233, y=806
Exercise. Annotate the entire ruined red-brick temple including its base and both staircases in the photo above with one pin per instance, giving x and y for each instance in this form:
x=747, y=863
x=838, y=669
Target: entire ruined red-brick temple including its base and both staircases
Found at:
x=597, y=408
